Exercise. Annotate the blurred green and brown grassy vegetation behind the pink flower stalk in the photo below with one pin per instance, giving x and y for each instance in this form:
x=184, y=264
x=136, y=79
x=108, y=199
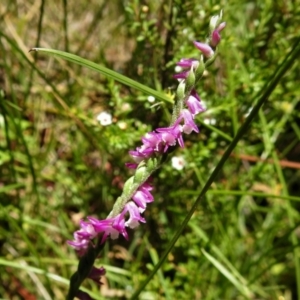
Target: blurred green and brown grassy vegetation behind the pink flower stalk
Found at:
x=59, y=165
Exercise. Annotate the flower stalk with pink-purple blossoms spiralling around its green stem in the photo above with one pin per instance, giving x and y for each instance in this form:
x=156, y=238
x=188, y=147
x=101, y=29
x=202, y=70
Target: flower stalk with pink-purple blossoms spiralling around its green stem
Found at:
x=147, y=158
